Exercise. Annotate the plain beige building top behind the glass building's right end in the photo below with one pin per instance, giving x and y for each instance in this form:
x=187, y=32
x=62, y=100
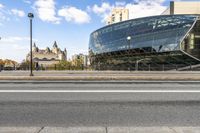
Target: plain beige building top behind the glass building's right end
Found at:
x=187, y=7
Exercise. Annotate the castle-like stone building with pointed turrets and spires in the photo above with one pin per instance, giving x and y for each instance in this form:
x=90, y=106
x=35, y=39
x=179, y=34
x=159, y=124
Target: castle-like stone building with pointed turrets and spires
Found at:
x=48, y=56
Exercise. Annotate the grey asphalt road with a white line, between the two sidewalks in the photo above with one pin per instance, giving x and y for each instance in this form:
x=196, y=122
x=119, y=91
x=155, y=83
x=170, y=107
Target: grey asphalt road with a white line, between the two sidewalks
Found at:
x=94, y=104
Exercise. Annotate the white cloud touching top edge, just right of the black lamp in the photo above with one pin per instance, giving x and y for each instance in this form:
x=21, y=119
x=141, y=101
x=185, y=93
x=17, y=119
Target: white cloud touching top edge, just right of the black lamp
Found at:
x=46, y=11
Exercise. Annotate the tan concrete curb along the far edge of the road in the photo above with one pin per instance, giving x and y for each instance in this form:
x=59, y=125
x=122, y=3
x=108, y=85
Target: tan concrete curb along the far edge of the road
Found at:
x=95, y=78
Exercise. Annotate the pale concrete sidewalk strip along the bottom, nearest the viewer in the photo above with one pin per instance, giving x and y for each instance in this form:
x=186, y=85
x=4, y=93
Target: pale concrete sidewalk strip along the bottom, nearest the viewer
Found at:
x=99, y=129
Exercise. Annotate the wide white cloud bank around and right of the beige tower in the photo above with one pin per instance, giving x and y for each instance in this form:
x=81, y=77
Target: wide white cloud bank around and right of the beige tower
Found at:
x=140, y=8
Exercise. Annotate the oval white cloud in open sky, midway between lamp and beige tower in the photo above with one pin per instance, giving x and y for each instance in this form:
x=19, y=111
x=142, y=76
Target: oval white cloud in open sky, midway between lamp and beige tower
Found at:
x=72, y=14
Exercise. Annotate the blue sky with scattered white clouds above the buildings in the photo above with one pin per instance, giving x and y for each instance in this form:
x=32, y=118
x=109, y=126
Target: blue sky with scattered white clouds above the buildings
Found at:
x=69, y=22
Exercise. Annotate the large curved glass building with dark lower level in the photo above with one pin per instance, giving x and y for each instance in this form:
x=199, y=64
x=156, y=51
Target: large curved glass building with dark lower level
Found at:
x=152, y=43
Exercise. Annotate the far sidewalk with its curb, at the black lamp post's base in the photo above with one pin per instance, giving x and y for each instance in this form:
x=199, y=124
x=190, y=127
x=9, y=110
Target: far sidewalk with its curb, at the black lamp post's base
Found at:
x=100, y=76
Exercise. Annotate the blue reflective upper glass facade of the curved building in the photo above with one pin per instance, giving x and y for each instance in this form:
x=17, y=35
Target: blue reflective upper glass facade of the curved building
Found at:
x=160, y=33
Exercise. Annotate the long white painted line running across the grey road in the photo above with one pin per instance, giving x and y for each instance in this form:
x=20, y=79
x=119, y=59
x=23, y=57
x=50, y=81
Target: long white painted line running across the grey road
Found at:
x=99, y=91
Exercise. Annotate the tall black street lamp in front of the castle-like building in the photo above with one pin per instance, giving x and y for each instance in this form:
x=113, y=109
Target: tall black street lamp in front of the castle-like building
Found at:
x=31, y=16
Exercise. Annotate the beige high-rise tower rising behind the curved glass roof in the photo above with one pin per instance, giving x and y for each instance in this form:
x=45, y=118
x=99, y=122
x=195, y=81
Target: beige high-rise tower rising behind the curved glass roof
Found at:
x=118, y=15
